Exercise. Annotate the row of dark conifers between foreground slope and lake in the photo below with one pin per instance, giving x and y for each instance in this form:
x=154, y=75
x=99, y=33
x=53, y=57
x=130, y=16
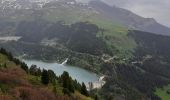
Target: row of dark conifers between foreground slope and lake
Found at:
x=48, y=76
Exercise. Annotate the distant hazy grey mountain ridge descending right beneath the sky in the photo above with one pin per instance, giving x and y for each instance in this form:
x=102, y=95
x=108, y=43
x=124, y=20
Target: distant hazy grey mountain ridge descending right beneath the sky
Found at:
x=129, y=19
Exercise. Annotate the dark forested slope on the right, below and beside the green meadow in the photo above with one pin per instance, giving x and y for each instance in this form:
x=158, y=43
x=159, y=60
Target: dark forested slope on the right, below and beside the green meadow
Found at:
x=147, y=71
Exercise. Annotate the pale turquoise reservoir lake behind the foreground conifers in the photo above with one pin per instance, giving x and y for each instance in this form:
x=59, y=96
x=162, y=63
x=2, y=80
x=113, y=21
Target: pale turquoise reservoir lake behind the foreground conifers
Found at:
x=80, y=74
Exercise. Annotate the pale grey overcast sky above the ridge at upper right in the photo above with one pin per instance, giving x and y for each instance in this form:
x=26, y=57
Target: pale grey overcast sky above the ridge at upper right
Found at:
x=157, y=9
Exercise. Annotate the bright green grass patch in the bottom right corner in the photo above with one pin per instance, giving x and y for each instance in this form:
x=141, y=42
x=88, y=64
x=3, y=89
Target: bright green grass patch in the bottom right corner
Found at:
x=162, y=92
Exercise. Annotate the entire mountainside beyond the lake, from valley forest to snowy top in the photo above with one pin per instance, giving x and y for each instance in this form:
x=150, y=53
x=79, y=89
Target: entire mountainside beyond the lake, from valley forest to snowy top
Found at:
x=106, y=40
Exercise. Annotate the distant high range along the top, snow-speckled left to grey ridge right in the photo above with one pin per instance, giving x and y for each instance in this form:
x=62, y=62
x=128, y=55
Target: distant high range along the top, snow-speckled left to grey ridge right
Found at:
x=113, y=13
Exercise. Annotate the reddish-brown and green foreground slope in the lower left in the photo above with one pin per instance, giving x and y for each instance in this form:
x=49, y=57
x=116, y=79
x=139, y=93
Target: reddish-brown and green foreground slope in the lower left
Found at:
x=14, y=79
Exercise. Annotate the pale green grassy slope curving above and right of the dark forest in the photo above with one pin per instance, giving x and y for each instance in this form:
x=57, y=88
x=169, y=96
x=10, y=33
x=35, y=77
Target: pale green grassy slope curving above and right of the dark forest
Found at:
x=116, y=32
